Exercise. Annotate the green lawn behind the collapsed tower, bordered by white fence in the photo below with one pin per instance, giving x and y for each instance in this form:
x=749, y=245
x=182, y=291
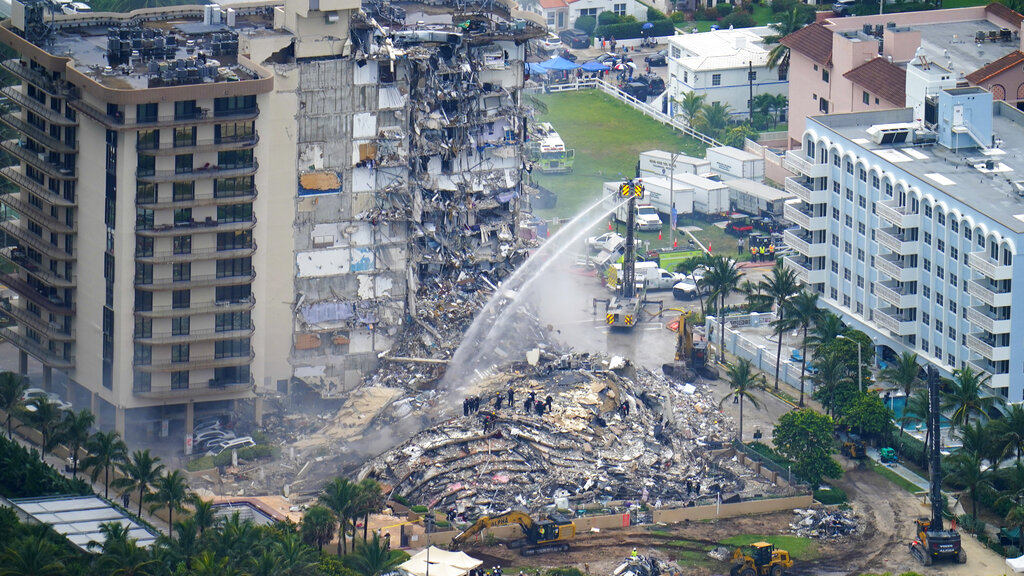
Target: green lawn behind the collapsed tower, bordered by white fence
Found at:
x=608, y=138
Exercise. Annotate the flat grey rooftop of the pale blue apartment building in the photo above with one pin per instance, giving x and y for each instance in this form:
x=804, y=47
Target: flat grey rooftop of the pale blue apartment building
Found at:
x=957, y=174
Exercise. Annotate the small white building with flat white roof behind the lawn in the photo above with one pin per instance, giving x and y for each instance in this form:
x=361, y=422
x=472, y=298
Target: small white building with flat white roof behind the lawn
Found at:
x=724, y=66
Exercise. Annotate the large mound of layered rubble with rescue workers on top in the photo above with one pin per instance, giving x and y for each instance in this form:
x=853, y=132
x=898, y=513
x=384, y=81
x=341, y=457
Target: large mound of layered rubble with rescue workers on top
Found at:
x=613, y=433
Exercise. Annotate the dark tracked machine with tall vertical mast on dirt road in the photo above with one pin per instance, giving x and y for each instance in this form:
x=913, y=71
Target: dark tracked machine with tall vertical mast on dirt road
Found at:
x=932, y=543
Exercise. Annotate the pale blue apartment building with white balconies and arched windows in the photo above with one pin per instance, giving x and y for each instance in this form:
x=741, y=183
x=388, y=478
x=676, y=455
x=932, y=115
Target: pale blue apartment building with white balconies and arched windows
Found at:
x=910, y=225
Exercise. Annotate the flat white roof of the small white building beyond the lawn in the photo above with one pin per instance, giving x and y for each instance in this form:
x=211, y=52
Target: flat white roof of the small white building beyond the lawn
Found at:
x=722, y=50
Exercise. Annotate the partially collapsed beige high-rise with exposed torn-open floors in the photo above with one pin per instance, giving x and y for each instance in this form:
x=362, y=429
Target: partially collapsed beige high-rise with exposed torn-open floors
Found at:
x=219, y=203
